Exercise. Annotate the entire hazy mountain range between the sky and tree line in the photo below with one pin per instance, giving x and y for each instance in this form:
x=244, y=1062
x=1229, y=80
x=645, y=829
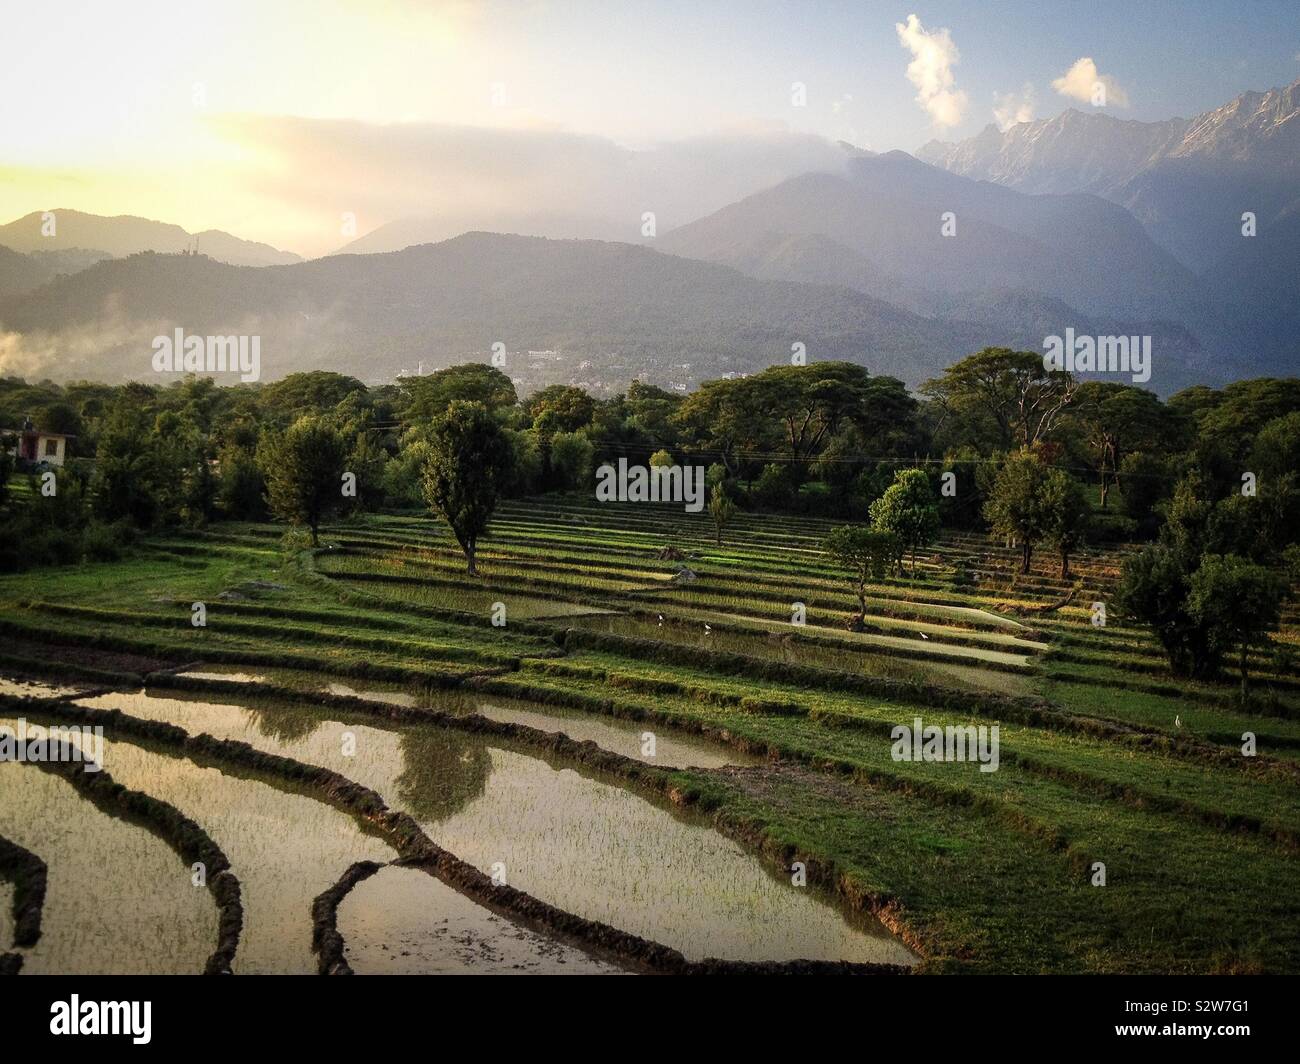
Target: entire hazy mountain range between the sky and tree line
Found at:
x=903, y=265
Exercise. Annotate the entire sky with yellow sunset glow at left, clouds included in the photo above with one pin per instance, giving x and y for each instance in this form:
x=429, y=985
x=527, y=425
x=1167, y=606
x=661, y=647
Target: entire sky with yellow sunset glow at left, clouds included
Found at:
x=274, y=119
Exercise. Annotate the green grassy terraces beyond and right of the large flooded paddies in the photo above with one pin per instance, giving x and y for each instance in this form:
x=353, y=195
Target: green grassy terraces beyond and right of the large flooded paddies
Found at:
x=1104, y=755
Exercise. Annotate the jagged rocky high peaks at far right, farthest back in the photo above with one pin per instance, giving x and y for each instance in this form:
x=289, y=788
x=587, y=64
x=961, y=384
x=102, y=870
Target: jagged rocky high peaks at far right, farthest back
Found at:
x=1190, y=183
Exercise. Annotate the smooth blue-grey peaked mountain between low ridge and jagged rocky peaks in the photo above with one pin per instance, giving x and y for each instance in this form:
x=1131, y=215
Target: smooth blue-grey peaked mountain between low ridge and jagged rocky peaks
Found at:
x=886, y=220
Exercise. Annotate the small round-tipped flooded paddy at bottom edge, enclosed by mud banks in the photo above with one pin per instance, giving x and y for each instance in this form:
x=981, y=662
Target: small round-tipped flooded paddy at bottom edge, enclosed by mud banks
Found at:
x=404, y=922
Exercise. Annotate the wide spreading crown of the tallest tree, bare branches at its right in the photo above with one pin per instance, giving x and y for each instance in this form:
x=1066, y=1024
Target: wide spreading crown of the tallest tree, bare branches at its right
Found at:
x=1012, y=393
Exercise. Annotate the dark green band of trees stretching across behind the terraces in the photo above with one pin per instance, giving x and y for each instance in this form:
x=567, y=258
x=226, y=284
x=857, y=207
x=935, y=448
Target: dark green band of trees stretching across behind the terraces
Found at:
x=996, y=443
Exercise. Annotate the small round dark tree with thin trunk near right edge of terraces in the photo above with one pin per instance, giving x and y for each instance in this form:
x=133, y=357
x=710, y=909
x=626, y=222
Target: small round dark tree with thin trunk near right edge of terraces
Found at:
x=1237, y=603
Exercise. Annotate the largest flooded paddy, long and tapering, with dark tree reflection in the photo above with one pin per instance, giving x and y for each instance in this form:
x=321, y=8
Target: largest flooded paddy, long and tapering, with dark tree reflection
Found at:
x=584, y=845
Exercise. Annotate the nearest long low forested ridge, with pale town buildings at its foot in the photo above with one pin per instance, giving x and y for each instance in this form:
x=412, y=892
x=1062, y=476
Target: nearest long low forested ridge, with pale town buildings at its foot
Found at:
x=610, y=313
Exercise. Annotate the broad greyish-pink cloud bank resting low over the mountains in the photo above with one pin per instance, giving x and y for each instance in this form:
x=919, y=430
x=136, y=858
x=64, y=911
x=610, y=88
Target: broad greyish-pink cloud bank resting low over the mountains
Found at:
x=538, y=183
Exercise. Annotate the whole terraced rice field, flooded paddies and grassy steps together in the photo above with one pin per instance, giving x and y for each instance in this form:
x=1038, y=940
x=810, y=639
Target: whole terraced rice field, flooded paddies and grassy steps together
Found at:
x=616, y=751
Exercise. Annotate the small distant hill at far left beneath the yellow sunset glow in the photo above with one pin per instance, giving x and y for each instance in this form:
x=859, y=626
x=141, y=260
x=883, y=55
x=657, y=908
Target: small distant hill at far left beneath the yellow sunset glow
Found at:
x=127, y=235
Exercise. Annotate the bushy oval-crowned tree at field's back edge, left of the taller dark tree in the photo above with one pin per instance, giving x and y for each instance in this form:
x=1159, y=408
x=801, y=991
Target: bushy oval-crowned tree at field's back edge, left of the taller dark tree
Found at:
x=305, y=470
